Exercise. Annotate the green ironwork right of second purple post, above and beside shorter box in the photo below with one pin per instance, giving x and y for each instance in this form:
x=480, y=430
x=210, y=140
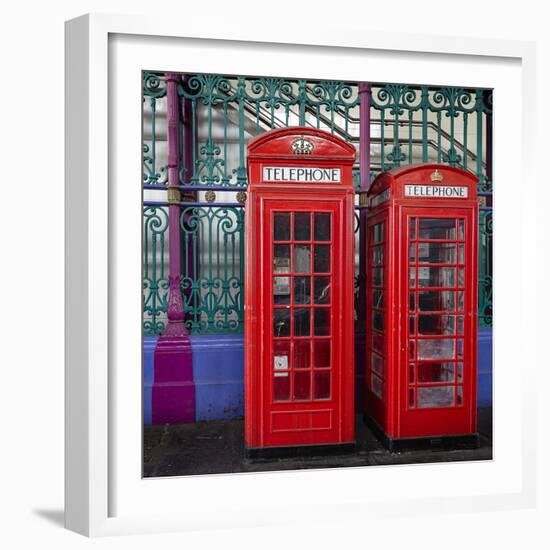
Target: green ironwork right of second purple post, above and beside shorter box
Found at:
x=411, y=124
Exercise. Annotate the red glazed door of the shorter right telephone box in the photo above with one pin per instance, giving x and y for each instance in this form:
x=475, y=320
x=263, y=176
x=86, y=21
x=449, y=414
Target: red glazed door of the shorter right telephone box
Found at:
x=439, y=249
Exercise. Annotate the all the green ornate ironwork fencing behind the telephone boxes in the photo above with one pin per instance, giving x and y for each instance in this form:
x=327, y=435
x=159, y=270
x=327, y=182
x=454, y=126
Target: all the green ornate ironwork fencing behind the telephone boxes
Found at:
x=409, y=124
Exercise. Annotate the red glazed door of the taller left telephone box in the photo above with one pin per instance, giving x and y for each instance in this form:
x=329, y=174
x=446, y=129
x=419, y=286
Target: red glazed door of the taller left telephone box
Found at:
x=302, y=292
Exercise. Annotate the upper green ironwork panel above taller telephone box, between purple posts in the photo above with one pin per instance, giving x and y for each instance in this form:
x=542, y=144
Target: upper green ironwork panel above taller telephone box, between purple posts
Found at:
x=228, y=111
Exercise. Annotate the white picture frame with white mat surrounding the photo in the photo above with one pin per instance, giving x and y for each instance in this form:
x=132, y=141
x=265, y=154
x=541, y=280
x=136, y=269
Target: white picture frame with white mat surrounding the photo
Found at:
x=105, y=493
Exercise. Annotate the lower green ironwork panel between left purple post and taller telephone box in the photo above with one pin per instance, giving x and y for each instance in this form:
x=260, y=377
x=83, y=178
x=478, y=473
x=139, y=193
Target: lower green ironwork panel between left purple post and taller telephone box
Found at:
x=213, y=270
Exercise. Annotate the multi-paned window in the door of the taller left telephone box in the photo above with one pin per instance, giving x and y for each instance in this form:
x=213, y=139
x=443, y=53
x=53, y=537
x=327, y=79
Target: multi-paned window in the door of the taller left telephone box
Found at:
x=306, y=378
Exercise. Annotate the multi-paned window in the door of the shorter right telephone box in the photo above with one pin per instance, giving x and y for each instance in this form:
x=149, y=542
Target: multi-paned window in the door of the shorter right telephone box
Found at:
x=436, y=332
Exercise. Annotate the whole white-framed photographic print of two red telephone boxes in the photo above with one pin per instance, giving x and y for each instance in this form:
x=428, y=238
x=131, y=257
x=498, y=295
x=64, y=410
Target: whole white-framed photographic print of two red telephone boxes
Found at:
x=282, y=275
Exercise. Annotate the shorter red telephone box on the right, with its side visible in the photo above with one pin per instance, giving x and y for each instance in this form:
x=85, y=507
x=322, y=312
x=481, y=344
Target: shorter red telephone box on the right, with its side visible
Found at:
x=422, y=306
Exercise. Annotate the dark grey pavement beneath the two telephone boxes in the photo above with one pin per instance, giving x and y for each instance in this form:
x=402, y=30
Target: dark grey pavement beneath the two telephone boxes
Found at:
x=217, y=446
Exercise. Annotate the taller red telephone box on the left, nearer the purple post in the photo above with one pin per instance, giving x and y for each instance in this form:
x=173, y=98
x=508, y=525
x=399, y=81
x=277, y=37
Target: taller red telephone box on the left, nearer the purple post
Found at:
x=299, y=293
